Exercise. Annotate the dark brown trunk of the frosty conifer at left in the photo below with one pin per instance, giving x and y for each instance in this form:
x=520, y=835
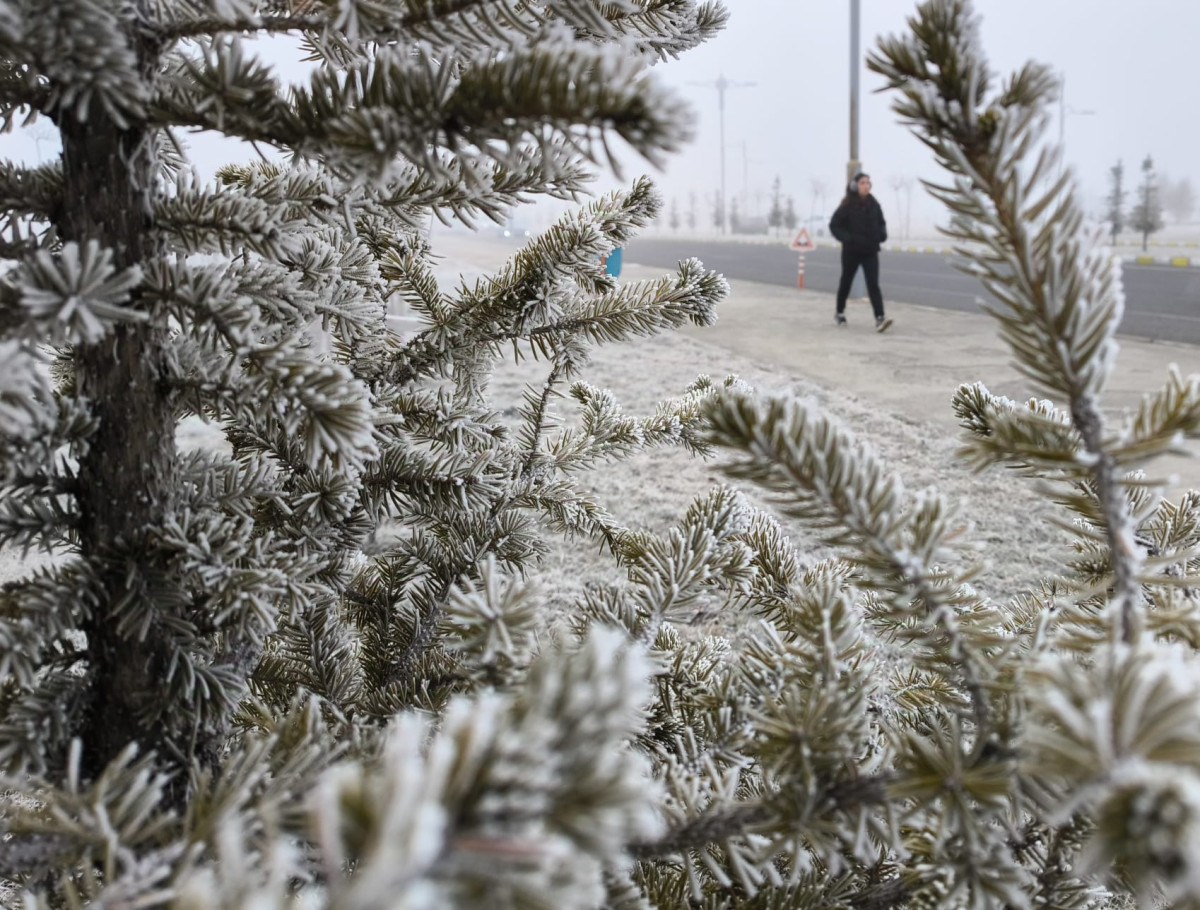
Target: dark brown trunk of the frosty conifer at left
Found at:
x=125, y=476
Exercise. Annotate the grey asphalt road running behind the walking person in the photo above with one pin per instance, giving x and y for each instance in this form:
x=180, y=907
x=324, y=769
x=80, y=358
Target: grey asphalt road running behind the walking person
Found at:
x=1162, y=302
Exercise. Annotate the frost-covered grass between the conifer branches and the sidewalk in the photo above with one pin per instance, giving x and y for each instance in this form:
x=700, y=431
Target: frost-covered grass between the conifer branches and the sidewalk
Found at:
x=1015, y=542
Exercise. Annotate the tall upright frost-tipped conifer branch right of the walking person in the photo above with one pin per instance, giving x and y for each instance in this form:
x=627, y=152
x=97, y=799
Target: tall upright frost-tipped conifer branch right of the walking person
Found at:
x=1055, y=290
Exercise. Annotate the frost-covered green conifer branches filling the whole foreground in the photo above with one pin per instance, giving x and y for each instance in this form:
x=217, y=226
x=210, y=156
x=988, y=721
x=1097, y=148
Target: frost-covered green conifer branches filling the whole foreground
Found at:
x=307, y=670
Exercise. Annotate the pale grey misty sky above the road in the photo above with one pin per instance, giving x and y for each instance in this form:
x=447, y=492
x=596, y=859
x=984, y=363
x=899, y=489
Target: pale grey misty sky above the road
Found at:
x=1131, y=92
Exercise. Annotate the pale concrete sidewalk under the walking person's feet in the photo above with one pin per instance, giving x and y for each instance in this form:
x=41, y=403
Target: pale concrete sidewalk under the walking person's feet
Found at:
x=914, y=369
